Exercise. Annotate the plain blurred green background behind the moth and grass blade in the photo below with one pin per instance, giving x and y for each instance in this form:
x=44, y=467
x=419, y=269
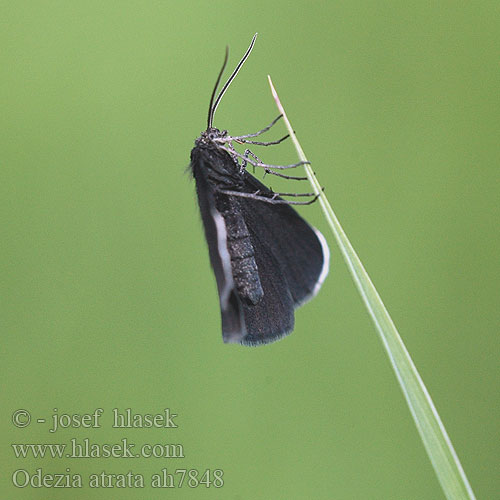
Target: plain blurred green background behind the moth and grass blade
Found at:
x=107, y=298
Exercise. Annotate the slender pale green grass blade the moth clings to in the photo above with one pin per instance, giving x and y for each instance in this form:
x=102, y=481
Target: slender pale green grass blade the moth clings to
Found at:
x=436, y=441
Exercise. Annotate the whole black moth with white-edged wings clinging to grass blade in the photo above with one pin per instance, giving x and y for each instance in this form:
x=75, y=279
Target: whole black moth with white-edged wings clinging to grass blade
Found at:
x=267, y=260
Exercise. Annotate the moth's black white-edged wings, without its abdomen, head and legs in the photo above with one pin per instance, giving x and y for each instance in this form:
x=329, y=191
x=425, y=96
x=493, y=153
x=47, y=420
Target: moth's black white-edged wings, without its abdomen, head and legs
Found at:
x=291, y=258
